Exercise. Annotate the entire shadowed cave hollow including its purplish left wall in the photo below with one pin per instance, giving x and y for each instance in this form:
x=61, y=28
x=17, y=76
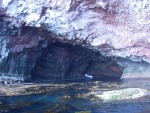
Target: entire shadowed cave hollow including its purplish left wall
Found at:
x=35, y=55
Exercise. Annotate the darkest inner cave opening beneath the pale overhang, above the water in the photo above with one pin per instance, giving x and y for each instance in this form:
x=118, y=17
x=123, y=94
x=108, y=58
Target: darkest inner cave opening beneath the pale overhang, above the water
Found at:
x=64, y=61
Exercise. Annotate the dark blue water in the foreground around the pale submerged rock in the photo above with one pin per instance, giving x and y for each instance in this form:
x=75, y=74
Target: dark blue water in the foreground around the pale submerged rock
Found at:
x=73, y=99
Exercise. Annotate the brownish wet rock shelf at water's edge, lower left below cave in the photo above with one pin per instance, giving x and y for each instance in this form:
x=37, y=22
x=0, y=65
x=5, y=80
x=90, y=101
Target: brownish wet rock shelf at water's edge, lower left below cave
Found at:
x=30, y=88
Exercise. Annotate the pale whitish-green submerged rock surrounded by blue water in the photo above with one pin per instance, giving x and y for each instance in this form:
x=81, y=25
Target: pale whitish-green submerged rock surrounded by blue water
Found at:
x=128, y=93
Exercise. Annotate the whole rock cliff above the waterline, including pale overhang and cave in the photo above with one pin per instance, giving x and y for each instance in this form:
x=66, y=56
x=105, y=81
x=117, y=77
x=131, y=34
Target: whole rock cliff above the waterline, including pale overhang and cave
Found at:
x=66, y=39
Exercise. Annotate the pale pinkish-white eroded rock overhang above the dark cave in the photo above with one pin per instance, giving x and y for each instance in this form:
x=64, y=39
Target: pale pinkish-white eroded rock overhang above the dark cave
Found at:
x=114, y=27
